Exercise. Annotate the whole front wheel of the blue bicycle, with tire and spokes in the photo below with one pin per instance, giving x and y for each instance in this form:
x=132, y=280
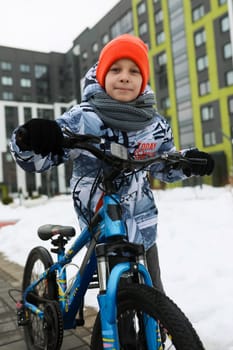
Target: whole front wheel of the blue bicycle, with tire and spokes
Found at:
x=133, y=301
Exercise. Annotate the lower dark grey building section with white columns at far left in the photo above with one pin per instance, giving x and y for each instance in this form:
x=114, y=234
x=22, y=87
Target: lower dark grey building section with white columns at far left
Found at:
x=32, y=84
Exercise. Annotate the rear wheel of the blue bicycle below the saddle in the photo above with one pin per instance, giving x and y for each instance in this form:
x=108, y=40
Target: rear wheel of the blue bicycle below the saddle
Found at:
x=36, y=330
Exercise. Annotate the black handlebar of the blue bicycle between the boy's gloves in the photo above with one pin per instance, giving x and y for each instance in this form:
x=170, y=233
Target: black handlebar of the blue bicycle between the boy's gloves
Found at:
x=119, y=155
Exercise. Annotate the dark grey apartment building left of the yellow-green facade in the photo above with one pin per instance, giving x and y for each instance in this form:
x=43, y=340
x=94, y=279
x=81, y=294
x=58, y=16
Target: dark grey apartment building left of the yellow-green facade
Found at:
x=44, y=85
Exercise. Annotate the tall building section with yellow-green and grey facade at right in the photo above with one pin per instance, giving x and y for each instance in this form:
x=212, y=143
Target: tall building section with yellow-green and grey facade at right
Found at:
x=192, y=72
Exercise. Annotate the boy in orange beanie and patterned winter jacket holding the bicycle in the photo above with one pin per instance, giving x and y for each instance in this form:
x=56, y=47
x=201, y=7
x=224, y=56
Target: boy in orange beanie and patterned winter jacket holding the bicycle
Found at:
x=118, y=106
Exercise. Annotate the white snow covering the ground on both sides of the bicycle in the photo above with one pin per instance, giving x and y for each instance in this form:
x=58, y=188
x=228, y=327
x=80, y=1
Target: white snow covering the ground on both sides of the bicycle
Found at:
x=195, y=247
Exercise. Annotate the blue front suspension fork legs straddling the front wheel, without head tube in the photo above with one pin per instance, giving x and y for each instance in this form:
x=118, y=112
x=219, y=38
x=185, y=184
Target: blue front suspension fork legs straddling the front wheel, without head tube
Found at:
x=107, y=300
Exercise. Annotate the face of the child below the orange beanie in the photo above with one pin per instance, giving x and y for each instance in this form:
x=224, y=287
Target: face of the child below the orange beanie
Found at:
x=123, y=80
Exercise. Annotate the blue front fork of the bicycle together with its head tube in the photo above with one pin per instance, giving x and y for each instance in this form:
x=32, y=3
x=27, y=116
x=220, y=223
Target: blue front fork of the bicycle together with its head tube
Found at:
x=129, y=260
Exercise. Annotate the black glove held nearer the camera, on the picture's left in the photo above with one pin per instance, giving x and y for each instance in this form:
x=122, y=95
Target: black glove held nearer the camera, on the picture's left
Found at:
x=41, y=136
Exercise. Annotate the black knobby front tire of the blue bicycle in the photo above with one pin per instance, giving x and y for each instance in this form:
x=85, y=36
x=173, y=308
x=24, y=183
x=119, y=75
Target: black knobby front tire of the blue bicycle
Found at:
x=149, y=300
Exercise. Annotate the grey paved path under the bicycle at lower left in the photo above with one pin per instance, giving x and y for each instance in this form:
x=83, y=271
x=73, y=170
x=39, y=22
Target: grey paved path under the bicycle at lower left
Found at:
x=11, y=336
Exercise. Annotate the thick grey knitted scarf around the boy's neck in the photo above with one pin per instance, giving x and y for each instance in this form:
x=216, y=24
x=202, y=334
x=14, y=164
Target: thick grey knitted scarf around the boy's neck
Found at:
x=130, y=116
